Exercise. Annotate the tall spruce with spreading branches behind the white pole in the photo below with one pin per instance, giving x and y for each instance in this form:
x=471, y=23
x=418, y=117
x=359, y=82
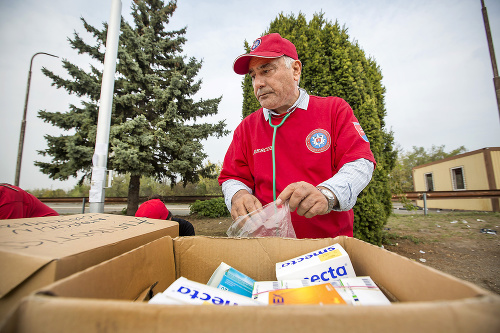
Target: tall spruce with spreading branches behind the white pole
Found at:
x=153, y=127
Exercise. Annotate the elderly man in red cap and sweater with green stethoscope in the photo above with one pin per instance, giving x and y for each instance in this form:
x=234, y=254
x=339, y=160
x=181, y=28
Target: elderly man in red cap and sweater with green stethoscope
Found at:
x=311, y=150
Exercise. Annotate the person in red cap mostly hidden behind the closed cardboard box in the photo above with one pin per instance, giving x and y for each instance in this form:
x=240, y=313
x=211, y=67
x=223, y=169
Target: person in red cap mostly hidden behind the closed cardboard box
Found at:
x=154, y=208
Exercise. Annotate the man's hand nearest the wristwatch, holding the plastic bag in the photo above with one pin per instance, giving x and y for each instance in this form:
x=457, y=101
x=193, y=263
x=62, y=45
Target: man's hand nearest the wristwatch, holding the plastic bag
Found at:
x=304, y=197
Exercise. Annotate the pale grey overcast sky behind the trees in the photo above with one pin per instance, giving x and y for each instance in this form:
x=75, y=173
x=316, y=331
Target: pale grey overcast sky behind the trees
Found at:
x=433, y=56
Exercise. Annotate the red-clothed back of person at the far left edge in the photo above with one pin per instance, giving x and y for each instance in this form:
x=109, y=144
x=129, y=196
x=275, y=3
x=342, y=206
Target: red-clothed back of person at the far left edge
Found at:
x=16, y=203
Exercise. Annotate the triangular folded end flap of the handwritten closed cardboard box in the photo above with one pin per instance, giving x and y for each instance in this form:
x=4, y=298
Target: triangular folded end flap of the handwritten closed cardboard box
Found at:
x=25, y=266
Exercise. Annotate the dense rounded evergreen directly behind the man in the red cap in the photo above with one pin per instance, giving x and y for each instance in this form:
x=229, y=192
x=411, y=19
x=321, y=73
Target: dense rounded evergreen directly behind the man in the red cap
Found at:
x=334, y=66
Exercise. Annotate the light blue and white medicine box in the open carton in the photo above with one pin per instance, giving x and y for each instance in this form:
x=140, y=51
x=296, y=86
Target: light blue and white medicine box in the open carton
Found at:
x=227, y=278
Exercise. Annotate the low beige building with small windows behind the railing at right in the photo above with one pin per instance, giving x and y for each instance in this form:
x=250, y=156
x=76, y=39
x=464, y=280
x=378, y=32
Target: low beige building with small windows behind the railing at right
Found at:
x=473, y=171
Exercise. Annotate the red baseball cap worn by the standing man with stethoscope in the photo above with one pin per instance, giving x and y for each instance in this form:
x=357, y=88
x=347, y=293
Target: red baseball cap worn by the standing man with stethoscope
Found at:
x=268, y=46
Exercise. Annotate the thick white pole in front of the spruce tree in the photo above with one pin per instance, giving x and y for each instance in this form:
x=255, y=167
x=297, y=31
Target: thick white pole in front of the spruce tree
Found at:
x=100, y=158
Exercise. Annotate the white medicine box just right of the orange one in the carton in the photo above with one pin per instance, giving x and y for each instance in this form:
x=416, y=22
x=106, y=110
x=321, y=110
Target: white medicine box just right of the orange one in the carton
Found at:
x=362, y=291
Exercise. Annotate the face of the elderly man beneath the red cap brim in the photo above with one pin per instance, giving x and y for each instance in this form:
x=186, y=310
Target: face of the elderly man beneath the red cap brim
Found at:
x=274, y=85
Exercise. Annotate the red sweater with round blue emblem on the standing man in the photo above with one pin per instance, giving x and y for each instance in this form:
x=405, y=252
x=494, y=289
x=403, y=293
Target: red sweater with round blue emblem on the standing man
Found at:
x=311, y=145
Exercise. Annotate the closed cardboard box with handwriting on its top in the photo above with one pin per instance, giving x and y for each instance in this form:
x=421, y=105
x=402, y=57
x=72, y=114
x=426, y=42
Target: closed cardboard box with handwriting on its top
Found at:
x=35, y=252
